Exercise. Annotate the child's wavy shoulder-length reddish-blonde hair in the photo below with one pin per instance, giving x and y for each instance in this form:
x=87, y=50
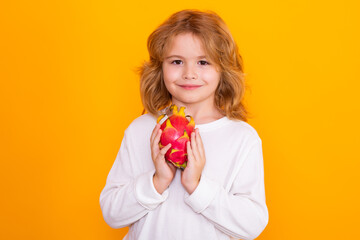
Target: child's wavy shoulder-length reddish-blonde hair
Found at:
x=221, y=49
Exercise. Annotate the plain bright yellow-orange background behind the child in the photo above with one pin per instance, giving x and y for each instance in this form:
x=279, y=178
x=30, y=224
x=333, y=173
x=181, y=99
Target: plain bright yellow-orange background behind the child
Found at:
x=68, y=91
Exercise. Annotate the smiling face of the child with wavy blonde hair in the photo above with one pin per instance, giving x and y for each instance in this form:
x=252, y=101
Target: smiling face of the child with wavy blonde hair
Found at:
x=188, y=75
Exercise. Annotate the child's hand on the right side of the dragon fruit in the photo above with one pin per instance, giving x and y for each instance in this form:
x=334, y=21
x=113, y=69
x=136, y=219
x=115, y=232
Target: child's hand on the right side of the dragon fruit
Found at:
x=190, y=177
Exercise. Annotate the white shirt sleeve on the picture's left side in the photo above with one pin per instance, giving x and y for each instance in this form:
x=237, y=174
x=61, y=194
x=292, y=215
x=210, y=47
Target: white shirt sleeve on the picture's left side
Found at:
x=126, y=198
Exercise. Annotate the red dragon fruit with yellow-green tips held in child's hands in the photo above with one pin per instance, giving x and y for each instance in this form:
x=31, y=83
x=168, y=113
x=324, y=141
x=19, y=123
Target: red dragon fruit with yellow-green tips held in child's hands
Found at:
x=176, y=129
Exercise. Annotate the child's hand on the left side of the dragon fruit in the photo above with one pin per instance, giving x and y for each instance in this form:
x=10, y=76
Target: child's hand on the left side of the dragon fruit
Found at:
x=164, y=171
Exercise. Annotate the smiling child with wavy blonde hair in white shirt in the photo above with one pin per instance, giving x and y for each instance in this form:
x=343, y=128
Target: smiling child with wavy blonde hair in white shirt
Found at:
x=194, y=62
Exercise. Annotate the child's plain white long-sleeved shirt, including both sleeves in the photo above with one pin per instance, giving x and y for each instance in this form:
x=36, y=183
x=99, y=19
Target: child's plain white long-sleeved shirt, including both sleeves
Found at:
x=229, y=202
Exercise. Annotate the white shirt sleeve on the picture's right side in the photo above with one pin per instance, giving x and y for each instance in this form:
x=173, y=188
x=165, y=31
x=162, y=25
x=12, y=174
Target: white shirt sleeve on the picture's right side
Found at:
x=240, y=212
